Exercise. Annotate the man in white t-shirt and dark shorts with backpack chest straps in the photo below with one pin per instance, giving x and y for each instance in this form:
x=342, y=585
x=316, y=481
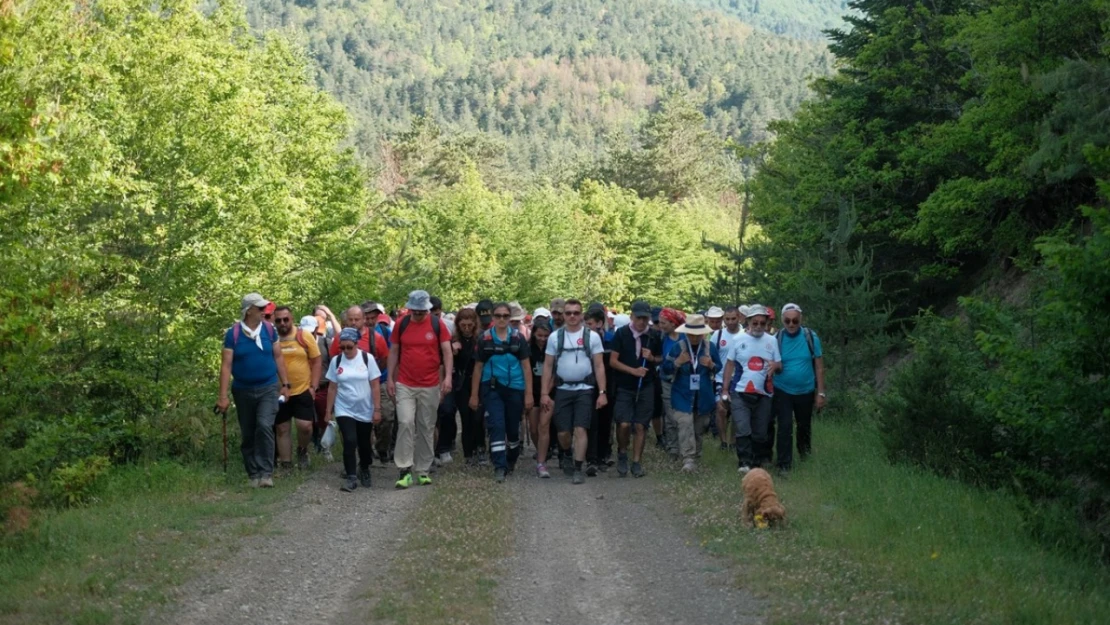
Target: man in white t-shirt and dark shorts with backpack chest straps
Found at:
x=573, y=366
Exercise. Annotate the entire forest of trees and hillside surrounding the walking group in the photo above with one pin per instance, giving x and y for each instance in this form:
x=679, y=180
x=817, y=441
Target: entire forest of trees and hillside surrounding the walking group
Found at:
x=931, y=183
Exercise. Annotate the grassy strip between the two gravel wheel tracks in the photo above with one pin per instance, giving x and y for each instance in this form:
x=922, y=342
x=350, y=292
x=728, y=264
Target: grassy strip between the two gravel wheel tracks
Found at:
x=448, y=568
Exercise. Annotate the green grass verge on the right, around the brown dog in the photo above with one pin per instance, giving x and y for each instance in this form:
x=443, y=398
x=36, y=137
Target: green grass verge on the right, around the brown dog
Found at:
x=870, y=542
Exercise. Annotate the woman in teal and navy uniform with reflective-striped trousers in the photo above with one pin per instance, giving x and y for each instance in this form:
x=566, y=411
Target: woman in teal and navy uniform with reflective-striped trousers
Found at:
x=503, y=381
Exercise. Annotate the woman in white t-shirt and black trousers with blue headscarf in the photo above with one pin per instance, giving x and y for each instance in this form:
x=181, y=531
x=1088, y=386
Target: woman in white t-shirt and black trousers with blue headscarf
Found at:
x=354, y=398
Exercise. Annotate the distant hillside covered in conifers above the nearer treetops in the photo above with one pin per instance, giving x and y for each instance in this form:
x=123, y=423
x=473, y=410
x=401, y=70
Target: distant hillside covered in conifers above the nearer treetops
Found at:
x=549, y=79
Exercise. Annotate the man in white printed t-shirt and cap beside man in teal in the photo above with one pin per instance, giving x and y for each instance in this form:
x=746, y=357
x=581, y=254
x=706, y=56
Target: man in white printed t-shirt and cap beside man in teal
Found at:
x=756, y=356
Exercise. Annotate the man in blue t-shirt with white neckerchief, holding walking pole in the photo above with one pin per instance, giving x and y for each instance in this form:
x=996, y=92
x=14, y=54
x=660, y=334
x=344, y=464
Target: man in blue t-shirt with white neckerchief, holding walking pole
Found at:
x=253, y=358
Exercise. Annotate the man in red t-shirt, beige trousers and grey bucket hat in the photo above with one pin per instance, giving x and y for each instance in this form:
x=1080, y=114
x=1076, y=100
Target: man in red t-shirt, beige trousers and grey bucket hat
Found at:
x=420, y=371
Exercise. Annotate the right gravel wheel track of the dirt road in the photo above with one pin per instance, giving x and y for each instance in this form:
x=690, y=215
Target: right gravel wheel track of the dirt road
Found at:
x=610, y=552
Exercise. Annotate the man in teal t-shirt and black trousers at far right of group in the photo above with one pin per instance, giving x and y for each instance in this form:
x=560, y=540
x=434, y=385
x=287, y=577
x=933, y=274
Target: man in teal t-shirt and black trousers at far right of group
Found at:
x=800, y=389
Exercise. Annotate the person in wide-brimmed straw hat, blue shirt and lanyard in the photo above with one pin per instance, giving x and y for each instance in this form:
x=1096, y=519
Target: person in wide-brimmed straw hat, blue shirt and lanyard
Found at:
x=691, y=369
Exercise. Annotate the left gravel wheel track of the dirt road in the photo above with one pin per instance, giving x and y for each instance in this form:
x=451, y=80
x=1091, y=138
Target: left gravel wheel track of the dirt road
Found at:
x=325, y=550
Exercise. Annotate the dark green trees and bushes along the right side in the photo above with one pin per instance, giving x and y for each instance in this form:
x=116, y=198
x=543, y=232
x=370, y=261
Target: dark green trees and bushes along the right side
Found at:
x=958, y=145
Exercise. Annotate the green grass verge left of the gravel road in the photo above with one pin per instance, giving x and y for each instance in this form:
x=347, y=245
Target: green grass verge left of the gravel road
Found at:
x=119, y=558
